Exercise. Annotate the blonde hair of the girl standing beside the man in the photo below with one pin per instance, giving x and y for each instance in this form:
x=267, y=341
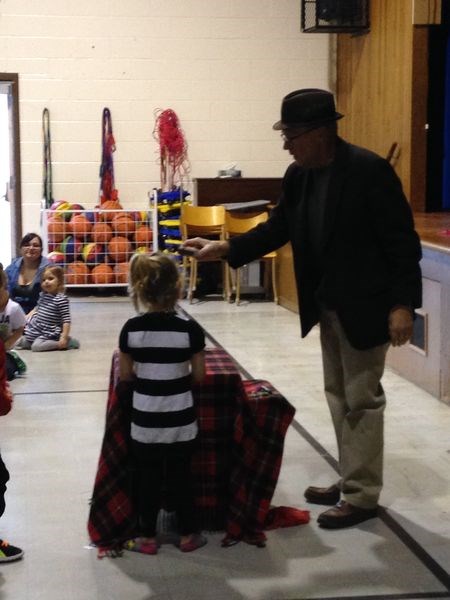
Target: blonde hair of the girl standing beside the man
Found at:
x=154, y=281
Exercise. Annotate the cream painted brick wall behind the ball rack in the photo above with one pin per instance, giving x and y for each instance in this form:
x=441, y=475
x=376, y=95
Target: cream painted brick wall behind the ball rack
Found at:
x=222, y=65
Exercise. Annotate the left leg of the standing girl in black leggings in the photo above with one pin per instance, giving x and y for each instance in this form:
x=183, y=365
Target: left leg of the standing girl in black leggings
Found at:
x=149, y=476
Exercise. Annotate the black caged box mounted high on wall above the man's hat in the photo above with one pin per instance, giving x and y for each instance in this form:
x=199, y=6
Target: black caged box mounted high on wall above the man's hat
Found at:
x=335, y=16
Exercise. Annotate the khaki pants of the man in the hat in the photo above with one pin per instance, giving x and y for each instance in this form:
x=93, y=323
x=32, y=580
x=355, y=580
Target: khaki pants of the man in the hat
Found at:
x=356, y=400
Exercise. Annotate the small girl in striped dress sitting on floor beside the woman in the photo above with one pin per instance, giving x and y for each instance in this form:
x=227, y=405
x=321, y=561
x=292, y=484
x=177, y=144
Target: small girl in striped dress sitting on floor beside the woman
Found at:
x=48, y=324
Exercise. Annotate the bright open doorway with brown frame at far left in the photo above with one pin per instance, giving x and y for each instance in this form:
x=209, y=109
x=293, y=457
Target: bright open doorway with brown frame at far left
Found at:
x=10, y=180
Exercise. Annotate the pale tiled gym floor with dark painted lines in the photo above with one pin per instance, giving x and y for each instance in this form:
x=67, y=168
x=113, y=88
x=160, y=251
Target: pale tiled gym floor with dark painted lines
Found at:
x=51, y=442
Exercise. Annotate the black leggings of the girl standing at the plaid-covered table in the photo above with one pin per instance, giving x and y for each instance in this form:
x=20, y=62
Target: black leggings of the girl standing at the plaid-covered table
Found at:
x=164, y=470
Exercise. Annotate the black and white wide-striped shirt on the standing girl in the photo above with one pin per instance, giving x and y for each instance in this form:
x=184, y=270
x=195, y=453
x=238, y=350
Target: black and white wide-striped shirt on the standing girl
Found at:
x=161, y=346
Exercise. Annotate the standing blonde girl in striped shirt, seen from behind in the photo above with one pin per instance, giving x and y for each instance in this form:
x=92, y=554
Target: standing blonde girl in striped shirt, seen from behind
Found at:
x=161, y=355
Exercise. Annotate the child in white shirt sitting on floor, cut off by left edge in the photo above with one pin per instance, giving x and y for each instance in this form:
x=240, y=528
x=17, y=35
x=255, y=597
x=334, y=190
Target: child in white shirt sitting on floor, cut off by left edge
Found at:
x=12, y=323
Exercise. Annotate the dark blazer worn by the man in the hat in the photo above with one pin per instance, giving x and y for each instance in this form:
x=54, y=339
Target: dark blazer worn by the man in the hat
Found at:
x=370, y=250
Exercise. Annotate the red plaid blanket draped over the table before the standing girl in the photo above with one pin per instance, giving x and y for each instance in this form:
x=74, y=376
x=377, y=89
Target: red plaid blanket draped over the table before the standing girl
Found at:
x=235, y=467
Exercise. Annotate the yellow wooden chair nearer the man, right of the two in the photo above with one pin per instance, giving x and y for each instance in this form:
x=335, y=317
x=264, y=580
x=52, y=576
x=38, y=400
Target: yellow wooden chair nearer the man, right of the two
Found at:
x=236, y=224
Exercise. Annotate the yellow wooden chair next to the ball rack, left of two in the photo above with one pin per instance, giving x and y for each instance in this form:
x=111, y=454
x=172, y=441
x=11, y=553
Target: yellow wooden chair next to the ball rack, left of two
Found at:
x=202, y=221
